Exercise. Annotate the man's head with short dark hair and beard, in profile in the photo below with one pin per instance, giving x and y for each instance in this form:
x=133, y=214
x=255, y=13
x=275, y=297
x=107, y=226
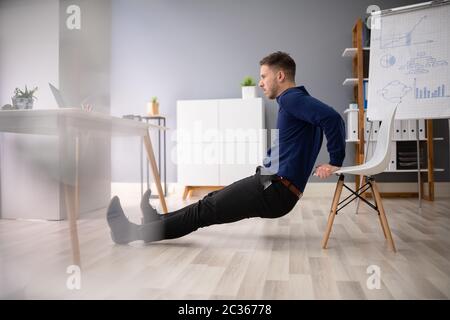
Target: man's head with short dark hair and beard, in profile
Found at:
x=277, y=73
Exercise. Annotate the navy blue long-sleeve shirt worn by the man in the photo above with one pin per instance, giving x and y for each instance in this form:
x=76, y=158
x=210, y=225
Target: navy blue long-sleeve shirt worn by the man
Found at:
x=302, y=121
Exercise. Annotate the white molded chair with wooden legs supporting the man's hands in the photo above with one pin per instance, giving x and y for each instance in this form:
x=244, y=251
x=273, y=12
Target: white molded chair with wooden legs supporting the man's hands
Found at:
x=377, y=164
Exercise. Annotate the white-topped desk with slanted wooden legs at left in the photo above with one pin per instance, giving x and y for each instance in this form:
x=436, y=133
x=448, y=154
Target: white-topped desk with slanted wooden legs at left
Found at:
x=69, y=124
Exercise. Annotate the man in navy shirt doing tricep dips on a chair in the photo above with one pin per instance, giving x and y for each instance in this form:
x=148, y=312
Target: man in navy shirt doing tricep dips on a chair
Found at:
x=276, y=187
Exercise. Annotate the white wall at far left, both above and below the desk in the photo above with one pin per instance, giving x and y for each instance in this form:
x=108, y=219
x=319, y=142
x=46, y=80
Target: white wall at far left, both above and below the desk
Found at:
x=29, y=51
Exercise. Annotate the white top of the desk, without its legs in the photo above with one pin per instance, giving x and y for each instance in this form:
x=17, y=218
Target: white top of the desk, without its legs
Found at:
x=72, y=120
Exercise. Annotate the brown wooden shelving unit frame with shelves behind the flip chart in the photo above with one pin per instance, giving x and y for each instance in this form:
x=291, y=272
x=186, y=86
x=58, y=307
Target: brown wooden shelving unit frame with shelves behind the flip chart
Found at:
x=357, y=81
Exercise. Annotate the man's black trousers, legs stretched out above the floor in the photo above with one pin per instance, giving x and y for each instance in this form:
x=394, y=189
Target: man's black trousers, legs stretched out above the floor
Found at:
x=245, y=198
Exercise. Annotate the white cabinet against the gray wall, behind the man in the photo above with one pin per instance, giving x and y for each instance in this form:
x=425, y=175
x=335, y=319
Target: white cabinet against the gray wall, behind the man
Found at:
x=219, y=141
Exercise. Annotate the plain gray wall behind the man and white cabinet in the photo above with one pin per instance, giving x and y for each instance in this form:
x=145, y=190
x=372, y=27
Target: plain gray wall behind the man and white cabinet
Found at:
x=200, y=49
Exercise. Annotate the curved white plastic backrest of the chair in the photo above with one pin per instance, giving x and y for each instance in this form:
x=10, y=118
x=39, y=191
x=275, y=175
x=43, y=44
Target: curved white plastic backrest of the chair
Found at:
x=382, y=153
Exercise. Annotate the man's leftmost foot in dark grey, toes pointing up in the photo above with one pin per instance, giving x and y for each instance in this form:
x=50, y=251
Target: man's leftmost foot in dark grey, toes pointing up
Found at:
x=122, y=230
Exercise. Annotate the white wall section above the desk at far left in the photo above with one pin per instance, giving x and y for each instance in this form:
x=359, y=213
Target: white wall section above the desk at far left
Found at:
x=29, y=48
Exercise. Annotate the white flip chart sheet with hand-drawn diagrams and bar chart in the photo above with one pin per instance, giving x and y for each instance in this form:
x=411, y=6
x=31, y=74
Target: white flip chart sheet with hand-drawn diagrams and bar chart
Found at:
x=410, y=63
